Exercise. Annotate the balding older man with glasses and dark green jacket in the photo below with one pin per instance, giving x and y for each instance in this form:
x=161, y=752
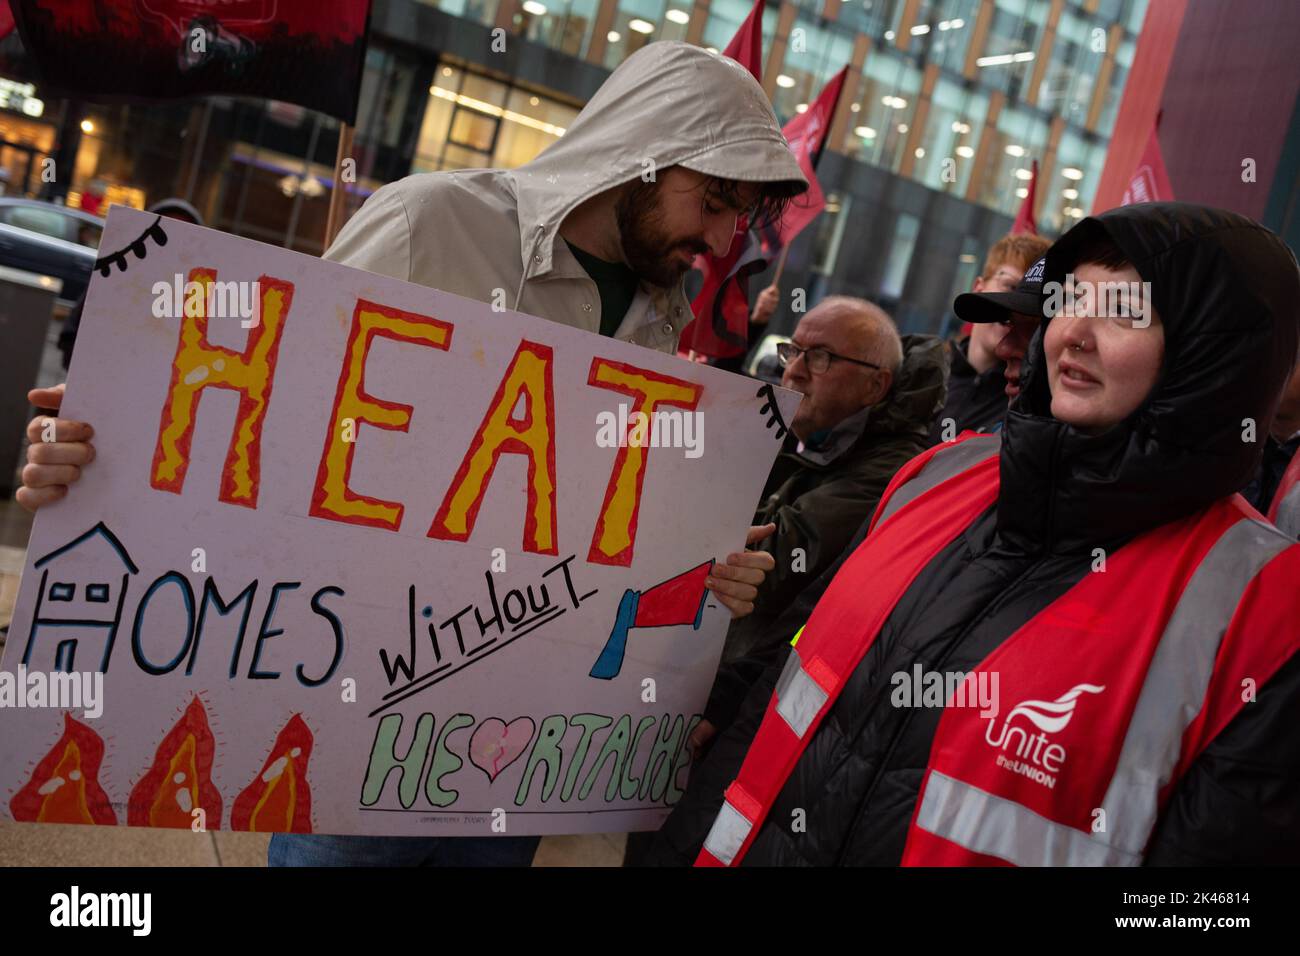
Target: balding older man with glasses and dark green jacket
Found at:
x=869, y=401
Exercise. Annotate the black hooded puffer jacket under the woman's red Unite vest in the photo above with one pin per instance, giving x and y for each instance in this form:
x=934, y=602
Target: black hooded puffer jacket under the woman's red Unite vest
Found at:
x=1229, y=296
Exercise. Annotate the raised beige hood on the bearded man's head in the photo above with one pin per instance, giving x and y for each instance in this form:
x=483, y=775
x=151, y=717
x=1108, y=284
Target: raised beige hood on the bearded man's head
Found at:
x=670, y=105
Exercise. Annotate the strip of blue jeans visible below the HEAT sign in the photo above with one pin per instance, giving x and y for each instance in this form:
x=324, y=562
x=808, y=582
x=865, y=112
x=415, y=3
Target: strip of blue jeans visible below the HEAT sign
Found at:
x=319, y=850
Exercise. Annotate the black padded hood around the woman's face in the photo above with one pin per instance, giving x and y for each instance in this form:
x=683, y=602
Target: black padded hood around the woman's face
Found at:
x=1228, y=293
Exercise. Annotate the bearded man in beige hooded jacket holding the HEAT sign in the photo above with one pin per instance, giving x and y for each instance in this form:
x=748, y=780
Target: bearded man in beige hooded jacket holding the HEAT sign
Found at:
x=597, y=233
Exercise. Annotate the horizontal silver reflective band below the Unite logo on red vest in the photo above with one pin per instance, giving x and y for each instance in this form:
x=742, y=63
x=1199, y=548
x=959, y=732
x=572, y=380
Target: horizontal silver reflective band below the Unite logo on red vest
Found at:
x=996, y=827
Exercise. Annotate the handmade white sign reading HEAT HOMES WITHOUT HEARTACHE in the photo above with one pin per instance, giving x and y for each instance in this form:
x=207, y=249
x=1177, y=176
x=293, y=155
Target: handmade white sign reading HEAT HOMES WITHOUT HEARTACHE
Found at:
x=362, y=557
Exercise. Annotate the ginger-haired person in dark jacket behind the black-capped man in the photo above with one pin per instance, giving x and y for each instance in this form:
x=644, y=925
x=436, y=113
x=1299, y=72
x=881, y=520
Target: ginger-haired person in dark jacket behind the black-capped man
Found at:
x=978, y=388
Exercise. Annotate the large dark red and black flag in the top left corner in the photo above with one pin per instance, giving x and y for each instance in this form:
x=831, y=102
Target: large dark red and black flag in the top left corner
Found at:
x=307, y=53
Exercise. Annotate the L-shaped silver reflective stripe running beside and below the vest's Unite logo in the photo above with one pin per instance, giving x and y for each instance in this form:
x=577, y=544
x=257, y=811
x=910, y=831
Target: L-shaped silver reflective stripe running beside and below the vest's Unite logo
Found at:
x=1171, y=699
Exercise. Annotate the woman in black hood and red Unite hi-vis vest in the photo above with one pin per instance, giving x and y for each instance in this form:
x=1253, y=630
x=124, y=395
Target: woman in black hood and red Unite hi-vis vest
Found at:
x=1071, y=643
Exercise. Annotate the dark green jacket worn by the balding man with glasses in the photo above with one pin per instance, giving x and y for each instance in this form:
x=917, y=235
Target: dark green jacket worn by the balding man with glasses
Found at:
x=818, y=499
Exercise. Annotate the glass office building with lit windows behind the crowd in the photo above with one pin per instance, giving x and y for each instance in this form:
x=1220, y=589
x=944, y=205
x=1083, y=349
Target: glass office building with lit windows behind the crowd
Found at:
x=947, y=105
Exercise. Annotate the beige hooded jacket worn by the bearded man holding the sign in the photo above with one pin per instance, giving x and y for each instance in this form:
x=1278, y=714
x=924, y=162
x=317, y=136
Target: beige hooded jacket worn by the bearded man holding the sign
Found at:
x=492, y=235
